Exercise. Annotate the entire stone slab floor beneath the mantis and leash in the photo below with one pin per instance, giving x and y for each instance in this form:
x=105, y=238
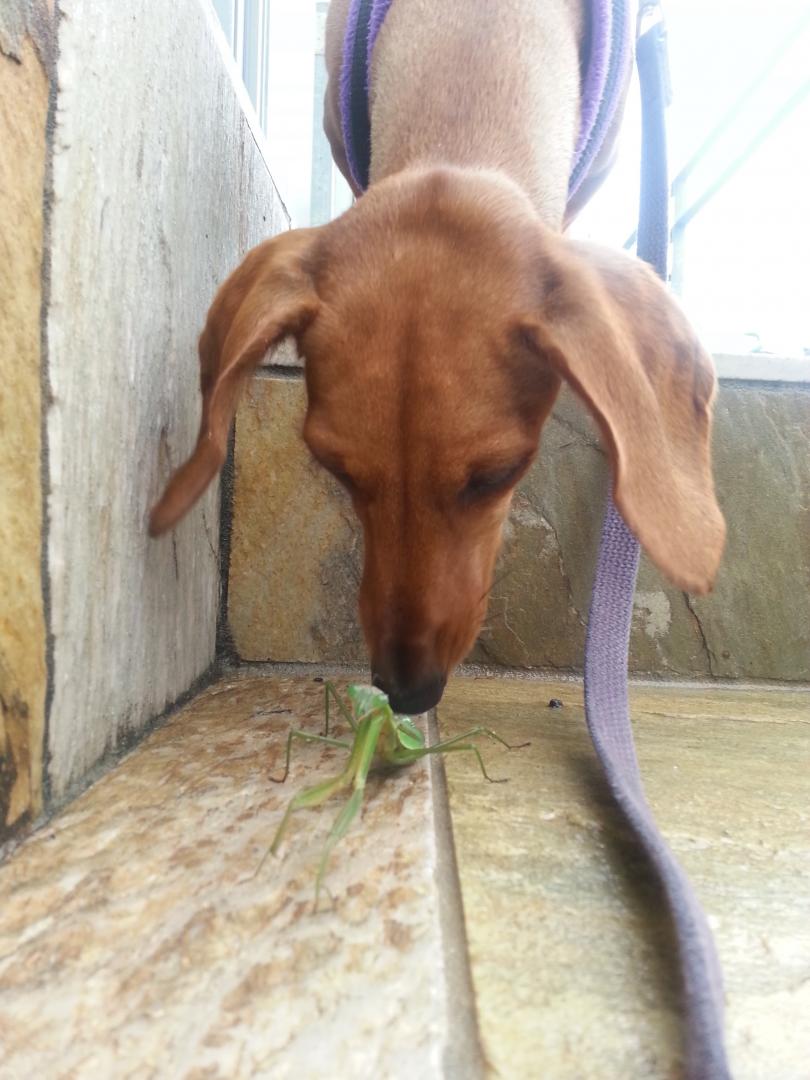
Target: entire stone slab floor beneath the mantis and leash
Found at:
x=139, y=940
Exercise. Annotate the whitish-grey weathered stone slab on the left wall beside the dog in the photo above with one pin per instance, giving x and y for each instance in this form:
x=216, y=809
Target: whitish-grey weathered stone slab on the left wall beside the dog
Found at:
x=159, y=187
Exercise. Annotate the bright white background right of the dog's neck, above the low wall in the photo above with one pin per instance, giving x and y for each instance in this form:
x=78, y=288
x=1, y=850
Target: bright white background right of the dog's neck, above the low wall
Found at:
x=745, y=278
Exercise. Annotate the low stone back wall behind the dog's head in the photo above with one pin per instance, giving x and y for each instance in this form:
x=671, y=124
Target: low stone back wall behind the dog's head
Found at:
x=296, y=552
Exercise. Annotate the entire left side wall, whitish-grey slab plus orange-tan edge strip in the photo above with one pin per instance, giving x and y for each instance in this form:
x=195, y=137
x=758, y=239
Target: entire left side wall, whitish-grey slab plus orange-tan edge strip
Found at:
x=148, y=185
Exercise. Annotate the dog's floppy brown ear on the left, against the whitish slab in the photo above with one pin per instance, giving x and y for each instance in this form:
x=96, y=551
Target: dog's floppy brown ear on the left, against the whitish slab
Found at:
x=267, y=298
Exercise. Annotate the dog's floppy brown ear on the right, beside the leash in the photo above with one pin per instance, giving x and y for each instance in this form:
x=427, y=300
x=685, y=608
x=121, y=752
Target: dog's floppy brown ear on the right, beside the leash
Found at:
x=610, y=328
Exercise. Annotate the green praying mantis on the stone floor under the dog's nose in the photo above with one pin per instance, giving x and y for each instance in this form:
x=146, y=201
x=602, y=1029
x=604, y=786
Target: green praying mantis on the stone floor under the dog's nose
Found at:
x=381, y=736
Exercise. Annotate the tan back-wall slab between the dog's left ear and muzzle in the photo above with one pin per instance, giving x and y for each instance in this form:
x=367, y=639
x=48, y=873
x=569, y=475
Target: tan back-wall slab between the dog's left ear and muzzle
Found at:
x=295, y=562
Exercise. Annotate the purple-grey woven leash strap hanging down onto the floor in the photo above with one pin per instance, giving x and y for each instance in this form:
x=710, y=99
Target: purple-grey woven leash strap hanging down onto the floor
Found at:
x=609, y=640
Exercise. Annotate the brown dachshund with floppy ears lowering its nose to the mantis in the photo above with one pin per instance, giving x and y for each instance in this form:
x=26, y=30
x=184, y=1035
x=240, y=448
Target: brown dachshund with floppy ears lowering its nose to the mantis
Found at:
x=439, y=317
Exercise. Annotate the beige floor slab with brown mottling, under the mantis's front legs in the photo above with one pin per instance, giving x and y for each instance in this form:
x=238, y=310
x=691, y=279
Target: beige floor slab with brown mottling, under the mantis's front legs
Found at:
x=136, y=940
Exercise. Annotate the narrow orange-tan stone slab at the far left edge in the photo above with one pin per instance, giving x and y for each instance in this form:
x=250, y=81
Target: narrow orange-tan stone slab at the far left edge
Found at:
x=24, y=93
